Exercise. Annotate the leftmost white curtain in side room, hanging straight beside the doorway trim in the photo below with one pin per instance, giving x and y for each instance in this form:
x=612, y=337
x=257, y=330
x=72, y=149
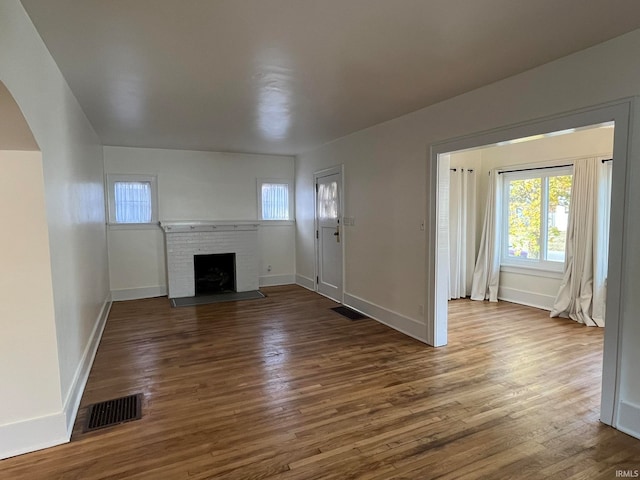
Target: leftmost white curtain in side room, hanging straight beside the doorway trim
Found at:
x=462, y=231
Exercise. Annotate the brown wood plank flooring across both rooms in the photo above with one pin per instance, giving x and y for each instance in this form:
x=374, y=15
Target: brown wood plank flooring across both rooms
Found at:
x=284, y=388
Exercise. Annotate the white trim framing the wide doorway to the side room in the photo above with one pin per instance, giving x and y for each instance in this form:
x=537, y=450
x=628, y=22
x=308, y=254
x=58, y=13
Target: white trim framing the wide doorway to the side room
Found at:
x=436, y=296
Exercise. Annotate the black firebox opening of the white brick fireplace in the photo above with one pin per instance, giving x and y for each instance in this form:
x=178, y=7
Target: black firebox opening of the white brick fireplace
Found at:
x=215, y=273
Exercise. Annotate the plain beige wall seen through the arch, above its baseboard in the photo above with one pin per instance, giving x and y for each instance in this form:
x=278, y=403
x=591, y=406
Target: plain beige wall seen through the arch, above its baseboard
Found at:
x=30, y=386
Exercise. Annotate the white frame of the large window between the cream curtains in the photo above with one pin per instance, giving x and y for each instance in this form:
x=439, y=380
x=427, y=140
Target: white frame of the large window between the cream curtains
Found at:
x=542, y=173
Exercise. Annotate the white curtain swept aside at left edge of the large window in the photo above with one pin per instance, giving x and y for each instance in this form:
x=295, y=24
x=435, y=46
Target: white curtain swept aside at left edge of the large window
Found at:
x=486, y=274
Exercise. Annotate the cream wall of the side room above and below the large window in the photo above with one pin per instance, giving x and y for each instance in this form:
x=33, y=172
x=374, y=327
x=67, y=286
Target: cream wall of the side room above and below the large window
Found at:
x=529, y=287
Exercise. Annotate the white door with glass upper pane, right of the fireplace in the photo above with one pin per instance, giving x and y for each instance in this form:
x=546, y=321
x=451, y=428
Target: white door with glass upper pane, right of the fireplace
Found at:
x=329, y=233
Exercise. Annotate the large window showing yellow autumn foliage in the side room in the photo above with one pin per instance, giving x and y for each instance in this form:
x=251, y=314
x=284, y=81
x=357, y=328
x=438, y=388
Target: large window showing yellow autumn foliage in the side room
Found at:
x=535, y=217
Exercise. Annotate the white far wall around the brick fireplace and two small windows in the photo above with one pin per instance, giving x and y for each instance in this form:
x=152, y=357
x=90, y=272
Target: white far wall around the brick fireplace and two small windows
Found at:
x=196, y=186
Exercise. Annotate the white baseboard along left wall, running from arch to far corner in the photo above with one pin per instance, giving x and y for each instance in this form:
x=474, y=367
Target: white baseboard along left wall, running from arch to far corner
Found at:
x=72, y=401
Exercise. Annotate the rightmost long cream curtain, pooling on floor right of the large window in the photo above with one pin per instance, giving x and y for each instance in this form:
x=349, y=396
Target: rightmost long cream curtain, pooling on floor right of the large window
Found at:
x=583, y=289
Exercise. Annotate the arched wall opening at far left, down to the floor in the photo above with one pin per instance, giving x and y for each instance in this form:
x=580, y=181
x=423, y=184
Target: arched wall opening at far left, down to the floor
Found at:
x=29, y=367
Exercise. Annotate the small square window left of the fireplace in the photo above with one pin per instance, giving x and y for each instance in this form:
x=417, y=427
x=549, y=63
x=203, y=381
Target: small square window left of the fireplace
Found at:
x=132, y=199
